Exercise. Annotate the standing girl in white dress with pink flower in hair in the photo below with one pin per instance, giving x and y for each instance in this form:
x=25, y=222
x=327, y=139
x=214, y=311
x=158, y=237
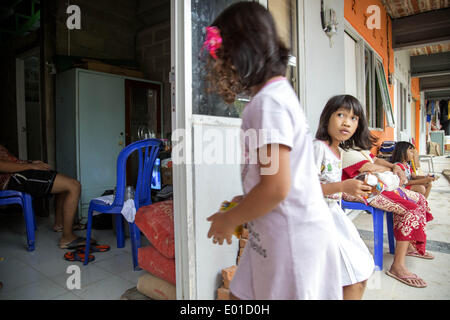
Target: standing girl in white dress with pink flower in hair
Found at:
x=292, y=251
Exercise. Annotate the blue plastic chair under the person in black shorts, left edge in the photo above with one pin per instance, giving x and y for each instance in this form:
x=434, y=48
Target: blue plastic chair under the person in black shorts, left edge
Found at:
x=25, y=200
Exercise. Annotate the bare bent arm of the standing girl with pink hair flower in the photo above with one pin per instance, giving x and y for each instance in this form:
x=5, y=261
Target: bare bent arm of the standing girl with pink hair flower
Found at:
x=263, y=198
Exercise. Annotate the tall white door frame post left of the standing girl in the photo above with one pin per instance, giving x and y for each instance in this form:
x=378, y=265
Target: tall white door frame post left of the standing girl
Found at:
x=181, y=96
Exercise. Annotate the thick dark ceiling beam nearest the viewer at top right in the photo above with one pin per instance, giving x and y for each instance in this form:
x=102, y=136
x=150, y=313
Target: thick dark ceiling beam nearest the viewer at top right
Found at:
x=421, y=29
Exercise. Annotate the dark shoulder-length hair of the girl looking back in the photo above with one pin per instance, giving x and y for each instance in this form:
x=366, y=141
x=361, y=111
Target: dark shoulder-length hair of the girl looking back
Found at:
x=362, y=138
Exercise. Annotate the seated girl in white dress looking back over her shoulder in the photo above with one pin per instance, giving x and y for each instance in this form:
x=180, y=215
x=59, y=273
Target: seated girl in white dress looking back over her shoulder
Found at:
x=338, y=123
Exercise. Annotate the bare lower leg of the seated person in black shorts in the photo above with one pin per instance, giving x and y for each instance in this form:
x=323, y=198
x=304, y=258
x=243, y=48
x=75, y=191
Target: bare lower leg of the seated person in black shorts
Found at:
x=68, y=191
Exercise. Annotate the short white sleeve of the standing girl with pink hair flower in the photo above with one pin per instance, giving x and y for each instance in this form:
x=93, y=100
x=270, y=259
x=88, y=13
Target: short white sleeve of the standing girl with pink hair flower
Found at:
x=273, y=122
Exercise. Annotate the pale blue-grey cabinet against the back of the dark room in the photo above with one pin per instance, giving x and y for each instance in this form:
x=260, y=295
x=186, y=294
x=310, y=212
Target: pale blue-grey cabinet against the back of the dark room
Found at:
x=90, y=129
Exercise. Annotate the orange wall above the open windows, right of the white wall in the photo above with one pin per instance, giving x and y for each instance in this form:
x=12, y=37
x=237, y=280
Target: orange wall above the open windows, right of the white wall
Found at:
x=377, y=39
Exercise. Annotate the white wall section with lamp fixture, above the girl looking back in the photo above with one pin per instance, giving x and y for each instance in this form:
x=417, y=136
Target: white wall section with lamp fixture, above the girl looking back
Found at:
x=324, y=66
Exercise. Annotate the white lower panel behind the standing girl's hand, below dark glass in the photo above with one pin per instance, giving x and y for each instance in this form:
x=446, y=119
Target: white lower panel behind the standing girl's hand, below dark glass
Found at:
x=215, y=139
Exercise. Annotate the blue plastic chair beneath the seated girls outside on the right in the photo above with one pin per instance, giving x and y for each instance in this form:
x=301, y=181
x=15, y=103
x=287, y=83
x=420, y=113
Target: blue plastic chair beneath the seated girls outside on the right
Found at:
x=377, y=215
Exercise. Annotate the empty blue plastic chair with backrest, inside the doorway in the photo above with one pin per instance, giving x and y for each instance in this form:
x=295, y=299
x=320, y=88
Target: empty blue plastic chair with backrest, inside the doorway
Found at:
x=148, y=151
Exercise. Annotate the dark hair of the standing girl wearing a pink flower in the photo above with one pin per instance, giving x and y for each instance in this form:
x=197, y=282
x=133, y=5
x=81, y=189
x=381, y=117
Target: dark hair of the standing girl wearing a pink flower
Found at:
x=251, y=52
